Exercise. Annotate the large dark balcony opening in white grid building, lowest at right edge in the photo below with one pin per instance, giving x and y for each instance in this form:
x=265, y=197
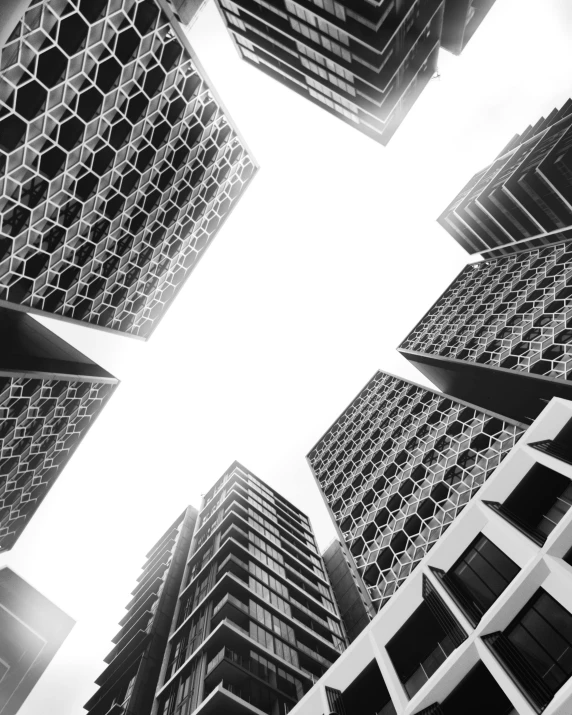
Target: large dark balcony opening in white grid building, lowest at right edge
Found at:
x=536, y=649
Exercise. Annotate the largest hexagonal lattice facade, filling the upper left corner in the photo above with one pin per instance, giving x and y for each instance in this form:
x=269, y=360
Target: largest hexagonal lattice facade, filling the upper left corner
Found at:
x=118, y=164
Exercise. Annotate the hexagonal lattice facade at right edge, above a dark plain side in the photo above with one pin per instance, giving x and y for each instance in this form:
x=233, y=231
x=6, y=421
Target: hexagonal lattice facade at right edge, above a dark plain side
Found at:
x=512, y=312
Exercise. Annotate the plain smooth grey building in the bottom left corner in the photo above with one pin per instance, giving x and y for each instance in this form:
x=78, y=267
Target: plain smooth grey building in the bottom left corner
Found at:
x=32, y=629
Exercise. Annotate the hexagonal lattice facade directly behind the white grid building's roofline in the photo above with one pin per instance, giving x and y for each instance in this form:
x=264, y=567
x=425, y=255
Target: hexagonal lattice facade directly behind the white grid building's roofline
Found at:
x=397, y=467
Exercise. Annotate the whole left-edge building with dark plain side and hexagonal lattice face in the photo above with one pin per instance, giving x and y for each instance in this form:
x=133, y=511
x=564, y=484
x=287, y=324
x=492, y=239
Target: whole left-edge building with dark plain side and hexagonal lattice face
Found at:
x=50, y=394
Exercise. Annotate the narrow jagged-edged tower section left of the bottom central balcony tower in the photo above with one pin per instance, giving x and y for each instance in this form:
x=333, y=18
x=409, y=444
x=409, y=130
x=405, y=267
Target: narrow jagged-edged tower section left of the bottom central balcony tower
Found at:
x=127, y=685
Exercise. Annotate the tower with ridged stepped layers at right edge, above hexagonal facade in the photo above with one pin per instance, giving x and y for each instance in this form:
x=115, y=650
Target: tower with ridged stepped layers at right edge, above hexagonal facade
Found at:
x=524, y=198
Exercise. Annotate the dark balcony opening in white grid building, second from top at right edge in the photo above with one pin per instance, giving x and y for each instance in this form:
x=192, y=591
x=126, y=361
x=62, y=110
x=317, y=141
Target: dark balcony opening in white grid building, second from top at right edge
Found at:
x=538, y=503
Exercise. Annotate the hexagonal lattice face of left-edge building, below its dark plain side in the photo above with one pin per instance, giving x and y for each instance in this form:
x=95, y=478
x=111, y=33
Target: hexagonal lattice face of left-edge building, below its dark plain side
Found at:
x=41, y=423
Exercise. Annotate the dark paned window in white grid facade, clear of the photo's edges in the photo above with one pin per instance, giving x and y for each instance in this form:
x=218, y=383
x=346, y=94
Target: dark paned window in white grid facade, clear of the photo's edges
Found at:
x=482, y=574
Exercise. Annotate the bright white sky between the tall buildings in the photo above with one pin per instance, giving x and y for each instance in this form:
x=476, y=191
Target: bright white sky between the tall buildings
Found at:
x=329, y=260
